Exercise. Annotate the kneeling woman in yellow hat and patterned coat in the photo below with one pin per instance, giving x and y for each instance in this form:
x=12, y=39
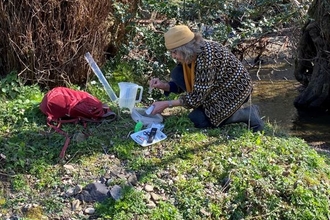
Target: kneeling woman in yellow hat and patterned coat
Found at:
x=213, y=82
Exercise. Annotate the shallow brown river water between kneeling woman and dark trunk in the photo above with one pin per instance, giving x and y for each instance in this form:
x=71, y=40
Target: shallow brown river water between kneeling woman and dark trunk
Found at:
x=275, y=89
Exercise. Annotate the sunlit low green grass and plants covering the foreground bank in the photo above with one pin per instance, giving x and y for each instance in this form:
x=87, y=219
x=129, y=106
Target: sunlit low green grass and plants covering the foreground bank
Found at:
x=224, y=173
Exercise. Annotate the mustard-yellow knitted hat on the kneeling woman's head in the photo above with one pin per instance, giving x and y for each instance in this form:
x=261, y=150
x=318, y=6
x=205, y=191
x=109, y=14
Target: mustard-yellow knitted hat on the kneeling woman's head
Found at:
x=177, y=36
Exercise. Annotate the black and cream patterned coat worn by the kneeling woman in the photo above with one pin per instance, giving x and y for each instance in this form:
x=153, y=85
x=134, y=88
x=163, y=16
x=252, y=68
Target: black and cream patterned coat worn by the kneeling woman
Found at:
x=222, y=84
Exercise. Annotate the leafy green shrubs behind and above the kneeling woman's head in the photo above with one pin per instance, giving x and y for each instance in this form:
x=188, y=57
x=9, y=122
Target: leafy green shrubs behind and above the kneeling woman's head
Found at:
x=231, y=22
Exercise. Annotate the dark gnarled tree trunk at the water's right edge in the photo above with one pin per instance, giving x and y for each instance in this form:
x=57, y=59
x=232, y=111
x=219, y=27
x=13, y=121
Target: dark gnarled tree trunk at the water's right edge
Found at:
x=312, y=67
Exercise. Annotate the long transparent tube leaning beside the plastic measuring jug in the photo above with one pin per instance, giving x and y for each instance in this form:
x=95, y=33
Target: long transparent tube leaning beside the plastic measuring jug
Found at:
x=100, y=76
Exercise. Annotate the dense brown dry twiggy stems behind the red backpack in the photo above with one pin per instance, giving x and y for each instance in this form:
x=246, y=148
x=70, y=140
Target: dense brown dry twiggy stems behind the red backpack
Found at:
x=45, y=41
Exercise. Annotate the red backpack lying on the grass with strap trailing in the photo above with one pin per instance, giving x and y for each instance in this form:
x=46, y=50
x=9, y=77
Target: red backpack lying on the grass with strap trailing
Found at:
x=64, y=105
